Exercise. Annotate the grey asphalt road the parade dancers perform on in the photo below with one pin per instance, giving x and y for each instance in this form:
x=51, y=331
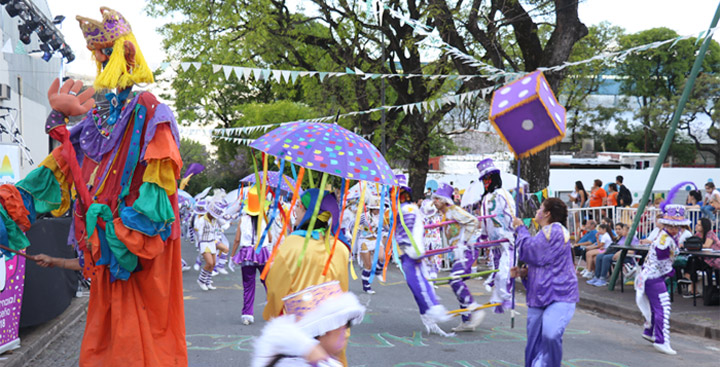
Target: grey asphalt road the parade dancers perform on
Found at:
x=392, y=335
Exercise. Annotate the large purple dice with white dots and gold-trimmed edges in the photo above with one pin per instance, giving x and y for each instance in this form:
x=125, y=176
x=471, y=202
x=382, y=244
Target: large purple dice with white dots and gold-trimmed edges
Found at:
x=527, y=115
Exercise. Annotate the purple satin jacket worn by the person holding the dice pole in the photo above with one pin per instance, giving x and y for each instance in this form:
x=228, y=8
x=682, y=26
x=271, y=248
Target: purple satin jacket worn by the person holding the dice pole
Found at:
x=551, y=273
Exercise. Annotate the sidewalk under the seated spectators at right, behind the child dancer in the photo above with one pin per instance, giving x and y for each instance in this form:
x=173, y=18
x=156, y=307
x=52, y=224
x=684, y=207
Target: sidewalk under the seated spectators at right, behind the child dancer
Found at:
x=703, y=321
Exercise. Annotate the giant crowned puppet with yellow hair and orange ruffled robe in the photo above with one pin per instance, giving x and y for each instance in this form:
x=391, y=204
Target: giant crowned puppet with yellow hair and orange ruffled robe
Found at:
x=123, y=162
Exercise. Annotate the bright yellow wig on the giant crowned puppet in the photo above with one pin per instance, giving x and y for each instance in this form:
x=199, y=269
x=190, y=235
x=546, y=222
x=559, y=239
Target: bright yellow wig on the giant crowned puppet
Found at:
x=117, y=73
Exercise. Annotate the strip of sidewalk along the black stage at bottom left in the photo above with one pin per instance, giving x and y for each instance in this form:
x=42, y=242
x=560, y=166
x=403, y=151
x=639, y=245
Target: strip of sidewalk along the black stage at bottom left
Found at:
x=34, y=339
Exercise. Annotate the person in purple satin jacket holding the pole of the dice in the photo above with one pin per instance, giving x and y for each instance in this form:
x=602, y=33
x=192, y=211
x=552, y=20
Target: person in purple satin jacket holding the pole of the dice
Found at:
x=550, y=280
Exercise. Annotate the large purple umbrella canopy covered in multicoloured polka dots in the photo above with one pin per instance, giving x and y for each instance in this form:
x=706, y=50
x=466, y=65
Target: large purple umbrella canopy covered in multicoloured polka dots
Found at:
x=327, y=148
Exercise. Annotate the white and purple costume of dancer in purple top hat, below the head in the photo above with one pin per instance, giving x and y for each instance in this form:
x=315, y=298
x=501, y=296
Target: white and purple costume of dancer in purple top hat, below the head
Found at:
x=502, y=205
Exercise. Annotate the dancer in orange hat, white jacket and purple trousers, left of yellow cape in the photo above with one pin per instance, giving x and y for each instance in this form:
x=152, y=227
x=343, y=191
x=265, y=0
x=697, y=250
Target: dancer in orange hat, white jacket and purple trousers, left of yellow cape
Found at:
x=251, y=262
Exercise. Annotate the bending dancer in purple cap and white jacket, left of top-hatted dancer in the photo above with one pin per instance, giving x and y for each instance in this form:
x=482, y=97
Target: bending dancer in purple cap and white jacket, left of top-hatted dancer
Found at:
x=458, y=234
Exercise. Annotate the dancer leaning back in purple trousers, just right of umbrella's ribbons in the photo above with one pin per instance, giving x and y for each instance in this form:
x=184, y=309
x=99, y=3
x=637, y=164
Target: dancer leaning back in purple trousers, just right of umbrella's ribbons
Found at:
x=409, y=236
